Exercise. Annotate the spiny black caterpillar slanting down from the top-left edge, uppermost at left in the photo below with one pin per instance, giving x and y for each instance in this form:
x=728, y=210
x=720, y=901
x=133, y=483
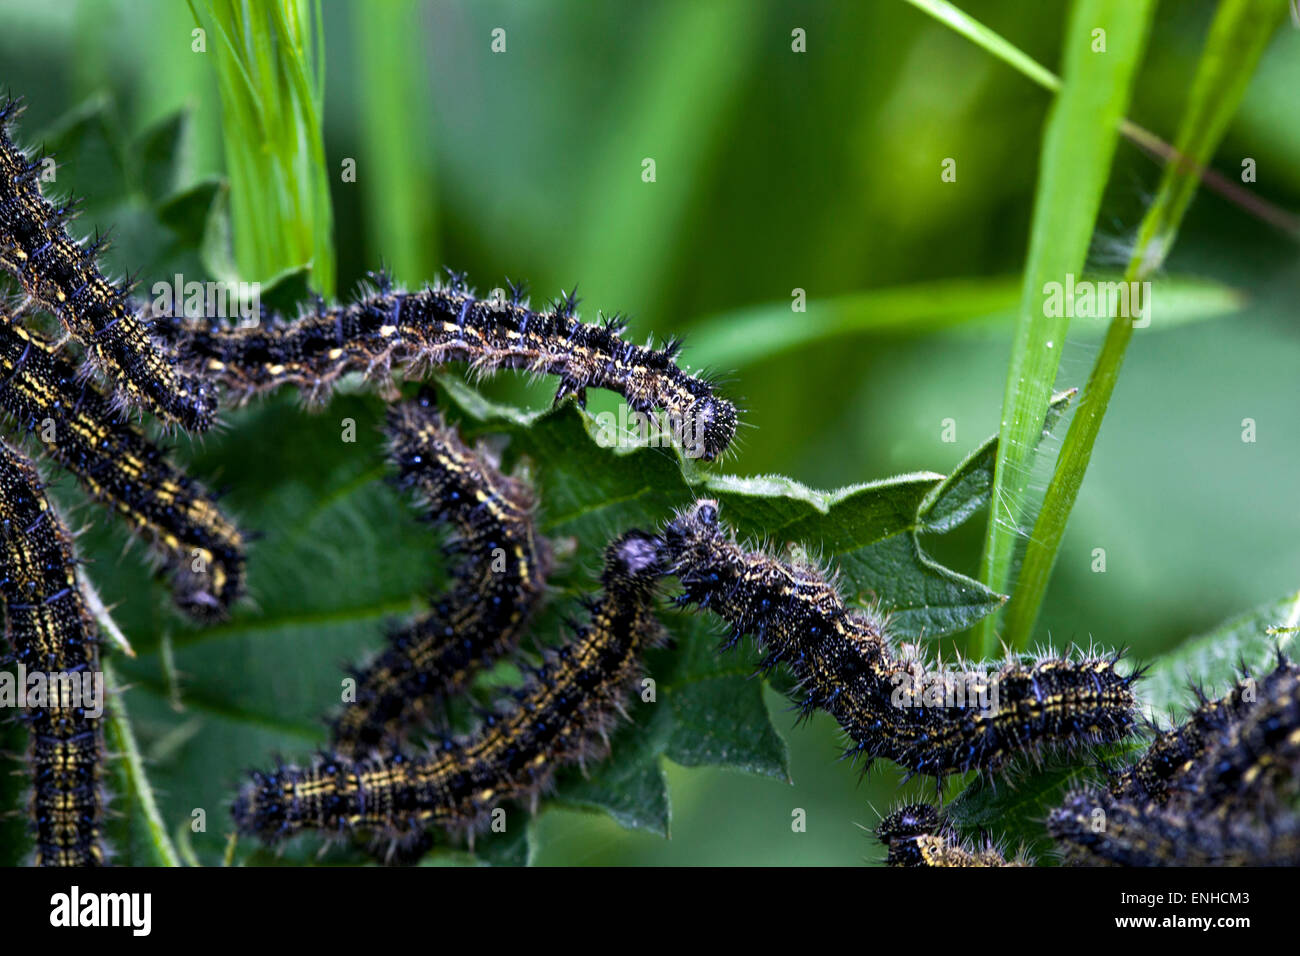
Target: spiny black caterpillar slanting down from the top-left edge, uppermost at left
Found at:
x=63, y=276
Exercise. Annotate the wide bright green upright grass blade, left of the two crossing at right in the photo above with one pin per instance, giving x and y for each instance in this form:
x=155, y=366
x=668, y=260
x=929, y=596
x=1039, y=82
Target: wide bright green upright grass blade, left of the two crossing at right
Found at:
x=1078, y=146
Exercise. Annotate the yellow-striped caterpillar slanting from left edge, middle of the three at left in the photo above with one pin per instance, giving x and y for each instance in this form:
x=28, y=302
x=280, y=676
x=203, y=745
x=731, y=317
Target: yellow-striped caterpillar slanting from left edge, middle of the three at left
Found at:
x=118, y=466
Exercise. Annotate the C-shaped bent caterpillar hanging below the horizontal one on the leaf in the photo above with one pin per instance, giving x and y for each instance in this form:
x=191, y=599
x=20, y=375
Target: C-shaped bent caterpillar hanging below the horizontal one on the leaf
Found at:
x=495, y=595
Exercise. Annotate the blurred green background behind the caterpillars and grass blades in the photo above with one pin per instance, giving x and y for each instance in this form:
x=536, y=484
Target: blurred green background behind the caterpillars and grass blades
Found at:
x=781, y=171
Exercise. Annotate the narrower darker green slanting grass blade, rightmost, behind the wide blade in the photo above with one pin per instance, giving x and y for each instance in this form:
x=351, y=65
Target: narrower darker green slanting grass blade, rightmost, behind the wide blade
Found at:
x=1238, y=37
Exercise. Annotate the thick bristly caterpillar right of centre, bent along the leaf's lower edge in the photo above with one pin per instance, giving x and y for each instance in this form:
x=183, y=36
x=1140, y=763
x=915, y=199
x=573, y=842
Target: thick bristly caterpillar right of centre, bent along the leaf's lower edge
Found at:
x=846, y=667
